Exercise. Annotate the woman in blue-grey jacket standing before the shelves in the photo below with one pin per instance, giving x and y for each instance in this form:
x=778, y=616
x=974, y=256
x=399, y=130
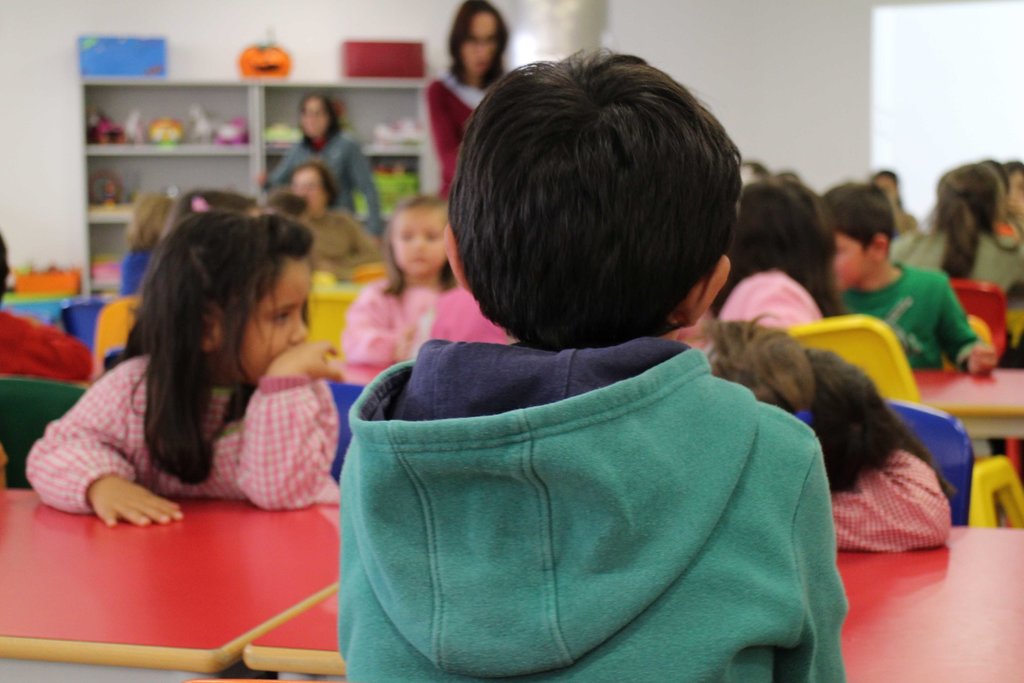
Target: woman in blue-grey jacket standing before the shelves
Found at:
x=322, y=139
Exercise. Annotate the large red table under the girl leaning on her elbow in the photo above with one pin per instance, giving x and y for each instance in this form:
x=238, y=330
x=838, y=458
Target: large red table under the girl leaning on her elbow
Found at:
x=188, y=596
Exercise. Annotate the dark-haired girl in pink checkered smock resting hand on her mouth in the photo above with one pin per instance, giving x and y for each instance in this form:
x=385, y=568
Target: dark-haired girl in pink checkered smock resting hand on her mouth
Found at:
x=220, y=397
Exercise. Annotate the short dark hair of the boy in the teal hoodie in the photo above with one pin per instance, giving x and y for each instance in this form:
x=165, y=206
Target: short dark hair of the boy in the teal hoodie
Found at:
x=586, y=219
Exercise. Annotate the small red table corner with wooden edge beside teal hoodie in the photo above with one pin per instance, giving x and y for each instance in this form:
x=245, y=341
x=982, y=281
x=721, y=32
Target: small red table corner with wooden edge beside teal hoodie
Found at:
x=307, y=645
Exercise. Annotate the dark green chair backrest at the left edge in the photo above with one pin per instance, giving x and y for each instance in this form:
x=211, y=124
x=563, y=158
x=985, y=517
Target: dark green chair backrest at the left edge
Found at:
x=27, y=406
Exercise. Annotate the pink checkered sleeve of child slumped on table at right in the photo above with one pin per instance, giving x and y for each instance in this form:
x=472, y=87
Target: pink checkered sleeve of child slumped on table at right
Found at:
x=900, y=507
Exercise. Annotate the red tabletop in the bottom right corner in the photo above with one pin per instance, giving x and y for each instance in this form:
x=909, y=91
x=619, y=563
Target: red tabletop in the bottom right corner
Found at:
x=953, y=615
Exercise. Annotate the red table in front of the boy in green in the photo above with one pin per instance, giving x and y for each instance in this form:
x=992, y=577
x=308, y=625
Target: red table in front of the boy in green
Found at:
x=989, y=407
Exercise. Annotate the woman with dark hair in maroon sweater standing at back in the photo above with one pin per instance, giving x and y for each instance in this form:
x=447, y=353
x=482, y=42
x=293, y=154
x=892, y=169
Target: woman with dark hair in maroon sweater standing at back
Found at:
x=478, y=46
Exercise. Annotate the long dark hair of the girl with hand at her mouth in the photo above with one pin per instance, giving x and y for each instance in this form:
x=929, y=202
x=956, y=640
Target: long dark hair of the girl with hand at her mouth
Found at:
x=214, y=267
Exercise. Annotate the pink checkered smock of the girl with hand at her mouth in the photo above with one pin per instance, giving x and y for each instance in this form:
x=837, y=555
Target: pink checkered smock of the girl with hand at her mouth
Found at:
x=278, y=457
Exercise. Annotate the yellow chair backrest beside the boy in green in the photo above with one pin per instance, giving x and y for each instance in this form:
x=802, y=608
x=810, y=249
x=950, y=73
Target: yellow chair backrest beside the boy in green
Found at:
x=869, y=344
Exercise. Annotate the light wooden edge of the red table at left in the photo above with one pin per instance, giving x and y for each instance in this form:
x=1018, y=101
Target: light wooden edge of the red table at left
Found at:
x=151, y=657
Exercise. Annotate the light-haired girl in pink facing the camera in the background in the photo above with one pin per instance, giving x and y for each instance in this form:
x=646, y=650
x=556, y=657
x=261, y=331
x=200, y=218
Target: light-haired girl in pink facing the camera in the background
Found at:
x=392, y=318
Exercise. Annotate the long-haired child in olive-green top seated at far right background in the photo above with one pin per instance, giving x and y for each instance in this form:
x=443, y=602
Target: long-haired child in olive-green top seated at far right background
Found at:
x=963, y=242
